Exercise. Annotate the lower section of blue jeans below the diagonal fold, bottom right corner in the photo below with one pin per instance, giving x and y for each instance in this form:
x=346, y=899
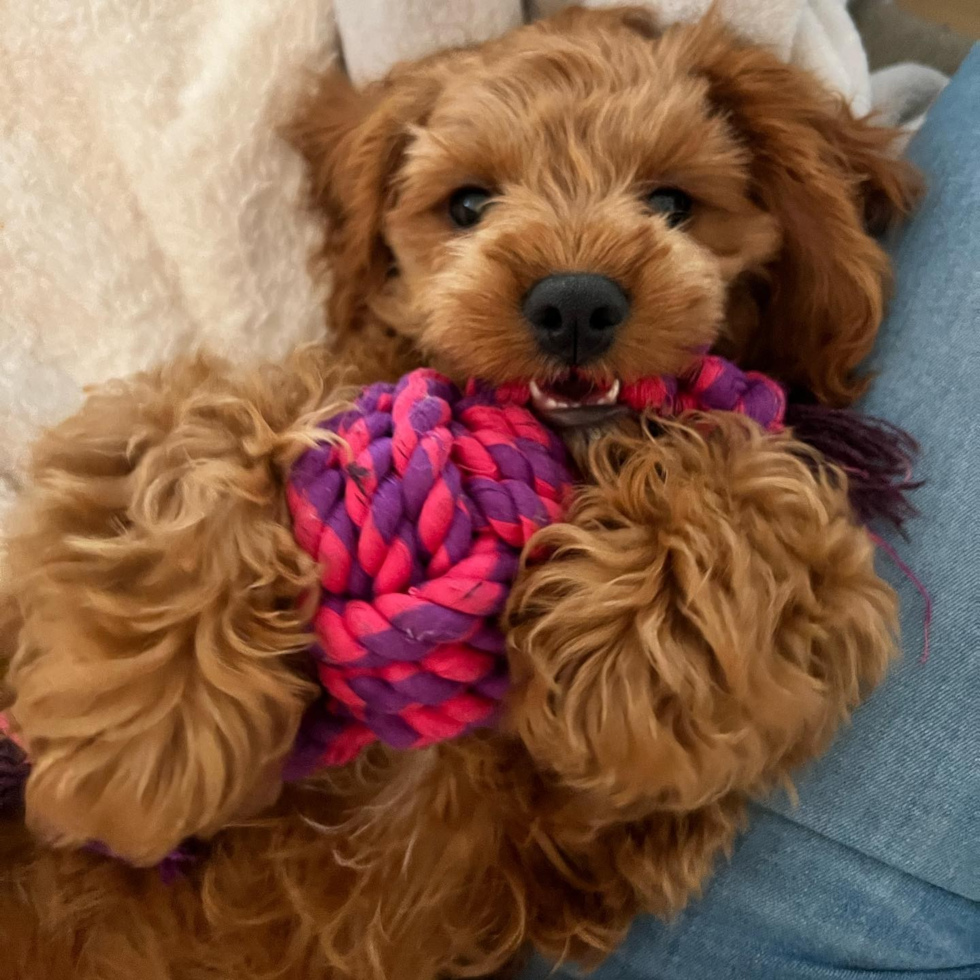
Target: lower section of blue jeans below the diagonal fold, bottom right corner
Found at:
x=794, y=905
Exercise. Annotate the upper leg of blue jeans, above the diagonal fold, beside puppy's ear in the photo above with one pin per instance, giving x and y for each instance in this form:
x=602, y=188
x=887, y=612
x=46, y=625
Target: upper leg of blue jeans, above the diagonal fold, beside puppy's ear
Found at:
x=904, y=785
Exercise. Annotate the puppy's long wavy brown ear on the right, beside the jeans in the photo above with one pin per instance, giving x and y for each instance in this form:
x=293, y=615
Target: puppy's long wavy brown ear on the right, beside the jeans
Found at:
x=831, y=182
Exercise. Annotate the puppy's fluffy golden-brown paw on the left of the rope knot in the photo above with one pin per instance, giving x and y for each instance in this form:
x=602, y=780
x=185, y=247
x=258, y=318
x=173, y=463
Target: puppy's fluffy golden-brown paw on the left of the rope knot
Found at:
x=160, y=589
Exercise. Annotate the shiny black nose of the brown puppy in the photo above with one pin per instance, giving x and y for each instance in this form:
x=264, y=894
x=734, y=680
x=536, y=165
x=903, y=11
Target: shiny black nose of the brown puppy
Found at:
x=574, y=315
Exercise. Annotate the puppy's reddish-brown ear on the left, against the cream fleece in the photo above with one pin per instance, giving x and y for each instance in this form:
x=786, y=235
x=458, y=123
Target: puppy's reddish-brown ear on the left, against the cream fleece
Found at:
x=353, y=142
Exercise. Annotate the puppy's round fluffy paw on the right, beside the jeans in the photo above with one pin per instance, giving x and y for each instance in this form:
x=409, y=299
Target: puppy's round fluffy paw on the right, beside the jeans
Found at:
x=706, y=618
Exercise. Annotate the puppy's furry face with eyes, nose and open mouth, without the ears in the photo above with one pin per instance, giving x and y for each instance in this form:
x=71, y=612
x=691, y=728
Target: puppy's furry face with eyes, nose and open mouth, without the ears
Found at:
x=572, y=221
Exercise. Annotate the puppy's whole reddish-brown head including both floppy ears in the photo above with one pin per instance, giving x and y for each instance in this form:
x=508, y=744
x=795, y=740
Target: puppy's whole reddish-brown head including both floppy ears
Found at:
x=589, y=200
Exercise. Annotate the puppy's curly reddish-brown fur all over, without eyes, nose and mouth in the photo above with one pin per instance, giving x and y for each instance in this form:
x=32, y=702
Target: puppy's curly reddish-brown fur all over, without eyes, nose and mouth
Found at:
x=705, y=619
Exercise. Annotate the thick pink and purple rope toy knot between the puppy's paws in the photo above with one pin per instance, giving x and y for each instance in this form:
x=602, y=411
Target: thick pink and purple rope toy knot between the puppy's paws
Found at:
x=418, y=514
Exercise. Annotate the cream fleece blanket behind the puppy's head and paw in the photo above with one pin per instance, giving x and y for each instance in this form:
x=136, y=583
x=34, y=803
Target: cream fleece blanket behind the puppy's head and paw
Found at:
x=147, y=204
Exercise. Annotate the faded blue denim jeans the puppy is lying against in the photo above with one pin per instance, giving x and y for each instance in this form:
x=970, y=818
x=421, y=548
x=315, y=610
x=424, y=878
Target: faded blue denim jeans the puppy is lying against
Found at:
x=877, y=872
